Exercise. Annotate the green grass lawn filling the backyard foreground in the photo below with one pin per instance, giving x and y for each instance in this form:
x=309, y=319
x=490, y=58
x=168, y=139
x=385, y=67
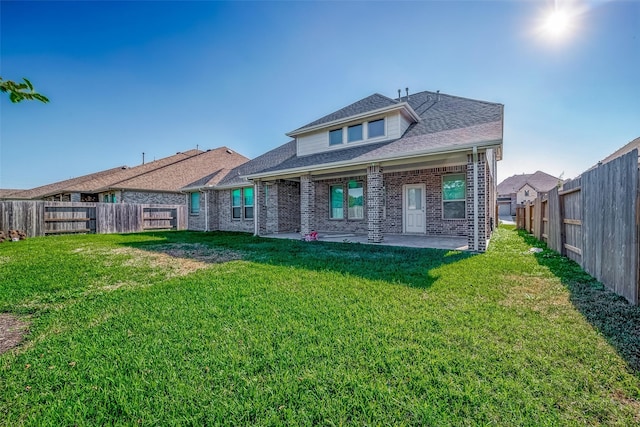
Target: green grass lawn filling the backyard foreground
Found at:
x=228, y=329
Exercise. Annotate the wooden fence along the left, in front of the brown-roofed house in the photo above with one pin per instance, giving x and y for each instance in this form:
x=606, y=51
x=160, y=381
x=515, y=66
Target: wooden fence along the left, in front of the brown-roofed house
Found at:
x=38, y=218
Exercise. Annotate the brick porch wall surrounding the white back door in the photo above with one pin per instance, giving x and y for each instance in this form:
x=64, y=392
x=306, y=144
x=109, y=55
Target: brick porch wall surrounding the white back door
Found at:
x=432, y=178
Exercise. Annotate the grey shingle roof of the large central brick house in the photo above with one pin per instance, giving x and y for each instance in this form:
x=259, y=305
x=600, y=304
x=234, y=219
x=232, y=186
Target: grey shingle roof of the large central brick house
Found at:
x=447, y=123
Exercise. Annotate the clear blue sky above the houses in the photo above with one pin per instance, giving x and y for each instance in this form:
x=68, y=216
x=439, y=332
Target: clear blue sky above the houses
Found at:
x=162, y=77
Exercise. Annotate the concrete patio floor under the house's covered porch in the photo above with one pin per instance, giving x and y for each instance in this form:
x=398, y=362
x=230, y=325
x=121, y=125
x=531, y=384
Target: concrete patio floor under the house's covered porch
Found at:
x=403, y=240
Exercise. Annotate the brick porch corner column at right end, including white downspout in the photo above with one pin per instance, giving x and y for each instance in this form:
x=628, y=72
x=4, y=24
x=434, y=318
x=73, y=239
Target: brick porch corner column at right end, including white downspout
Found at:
x=476, y=172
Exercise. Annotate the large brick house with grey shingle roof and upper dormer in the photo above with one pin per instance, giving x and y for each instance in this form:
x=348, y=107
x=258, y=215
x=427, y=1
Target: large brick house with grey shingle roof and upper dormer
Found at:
x=421, y=164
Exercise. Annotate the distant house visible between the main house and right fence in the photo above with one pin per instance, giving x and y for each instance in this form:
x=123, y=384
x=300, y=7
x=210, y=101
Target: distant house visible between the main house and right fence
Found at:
x=518, y=189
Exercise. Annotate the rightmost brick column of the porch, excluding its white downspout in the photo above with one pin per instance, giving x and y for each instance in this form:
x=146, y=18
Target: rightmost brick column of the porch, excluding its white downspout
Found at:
x=482, y=203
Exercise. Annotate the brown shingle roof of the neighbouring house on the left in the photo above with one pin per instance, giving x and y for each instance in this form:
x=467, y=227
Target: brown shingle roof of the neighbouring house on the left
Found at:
x=193, y=168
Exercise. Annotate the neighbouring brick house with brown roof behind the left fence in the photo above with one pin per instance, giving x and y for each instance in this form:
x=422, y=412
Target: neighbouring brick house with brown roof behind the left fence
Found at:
x=163, y=181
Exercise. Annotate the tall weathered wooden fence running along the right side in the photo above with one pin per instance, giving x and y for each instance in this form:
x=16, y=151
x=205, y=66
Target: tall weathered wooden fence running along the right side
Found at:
x=594, y=220
